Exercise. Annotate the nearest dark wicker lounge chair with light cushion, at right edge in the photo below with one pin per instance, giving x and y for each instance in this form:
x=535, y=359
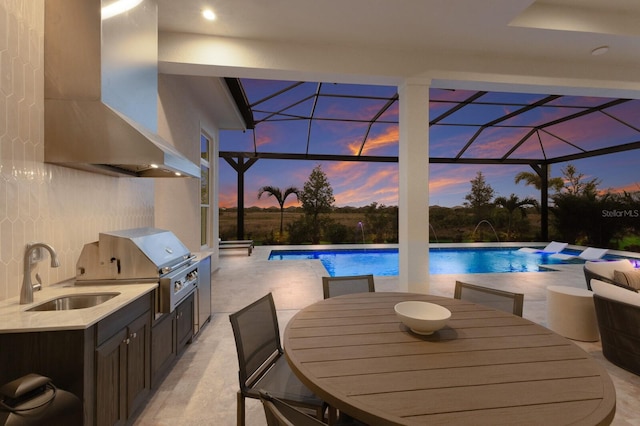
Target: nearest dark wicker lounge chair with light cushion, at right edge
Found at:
x=618, y=314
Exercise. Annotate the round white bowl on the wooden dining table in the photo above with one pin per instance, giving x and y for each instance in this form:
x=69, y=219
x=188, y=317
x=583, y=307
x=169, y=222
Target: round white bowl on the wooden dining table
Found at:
x=422, y=317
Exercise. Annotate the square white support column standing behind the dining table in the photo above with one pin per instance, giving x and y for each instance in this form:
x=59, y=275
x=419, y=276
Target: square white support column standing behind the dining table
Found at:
x=413, y=203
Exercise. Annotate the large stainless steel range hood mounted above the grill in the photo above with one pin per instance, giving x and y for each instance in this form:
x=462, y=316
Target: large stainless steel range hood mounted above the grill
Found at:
x=101, y=90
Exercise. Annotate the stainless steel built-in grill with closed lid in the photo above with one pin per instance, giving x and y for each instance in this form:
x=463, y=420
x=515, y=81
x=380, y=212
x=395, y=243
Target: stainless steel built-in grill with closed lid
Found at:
x=141, y=255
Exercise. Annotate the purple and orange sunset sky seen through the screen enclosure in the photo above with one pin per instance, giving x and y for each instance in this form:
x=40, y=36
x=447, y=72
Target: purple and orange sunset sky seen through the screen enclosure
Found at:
x=358, y=184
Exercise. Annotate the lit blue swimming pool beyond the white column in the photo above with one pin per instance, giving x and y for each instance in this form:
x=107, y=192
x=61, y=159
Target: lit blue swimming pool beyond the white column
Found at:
x=341, y=262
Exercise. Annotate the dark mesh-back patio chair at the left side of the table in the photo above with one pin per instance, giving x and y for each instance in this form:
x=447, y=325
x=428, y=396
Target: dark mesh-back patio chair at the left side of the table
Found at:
x=261, y=361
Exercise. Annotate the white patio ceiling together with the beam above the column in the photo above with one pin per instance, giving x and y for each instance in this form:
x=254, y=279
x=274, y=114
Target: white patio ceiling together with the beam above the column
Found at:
x=547, y=43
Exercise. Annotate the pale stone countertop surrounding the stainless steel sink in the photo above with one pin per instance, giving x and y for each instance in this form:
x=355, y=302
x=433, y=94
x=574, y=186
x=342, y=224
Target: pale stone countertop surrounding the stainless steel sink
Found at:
x=14, y=317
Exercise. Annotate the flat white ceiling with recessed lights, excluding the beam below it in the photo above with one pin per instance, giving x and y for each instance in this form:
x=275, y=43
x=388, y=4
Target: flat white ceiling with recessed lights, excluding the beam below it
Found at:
x=523, y=28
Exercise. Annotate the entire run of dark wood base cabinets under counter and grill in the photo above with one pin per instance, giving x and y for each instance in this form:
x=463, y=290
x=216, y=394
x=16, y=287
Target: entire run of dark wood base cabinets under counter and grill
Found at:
x=112, y=365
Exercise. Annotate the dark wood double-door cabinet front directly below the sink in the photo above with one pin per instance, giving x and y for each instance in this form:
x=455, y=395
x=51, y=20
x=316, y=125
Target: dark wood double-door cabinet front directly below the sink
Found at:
x=122, y=365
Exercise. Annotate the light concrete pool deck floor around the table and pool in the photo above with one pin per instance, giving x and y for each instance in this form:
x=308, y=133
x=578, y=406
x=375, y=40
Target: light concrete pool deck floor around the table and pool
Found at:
x=201, y=389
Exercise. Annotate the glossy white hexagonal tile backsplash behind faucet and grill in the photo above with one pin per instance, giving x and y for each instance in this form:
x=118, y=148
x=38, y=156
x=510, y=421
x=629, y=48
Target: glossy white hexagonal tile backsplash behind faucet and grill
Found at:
x=64, y=207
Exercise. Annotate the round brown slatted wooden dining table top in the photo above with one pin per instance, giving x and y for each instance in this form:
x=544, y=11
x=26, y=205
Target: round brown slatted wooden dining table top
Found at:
x=485, y=367
